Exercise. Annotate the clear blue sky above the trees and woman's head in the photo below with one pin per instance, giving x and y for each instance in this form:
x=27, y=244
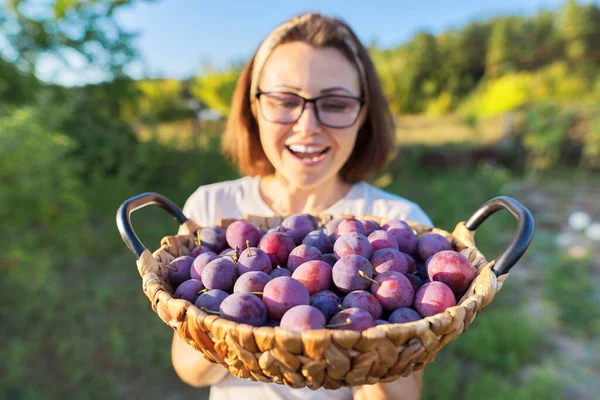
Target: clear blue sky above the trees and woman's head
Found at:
x=177, y=36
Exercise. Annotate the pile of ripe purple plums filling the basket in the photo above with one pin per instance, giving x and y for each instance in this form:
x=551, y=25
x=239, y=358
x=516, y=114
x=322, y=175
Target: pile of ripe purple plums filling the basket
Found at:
x=347, y=274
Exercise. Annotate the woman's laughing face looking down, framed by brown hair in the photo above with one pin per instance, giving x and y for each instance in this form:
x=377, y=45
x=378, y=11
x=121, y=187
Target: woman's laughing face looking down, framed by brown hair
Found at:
x=306, y=152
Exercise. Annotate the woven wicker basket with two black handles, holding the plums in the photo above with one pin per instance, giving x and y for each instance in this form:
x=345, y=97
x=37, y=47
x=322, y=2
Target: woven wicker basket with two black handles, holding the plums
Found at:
x=321, y=358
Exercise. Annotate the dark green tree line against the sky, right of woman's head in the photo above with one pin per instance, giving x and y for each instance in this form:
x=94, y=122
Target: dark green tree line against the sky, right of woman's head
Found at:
x=450, y=66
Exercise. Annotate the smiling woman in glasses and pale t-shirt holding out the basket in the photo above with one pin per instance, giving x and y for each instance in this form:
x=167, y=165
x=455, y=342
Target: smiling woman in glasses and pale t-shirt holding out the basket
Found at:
x=309, y=123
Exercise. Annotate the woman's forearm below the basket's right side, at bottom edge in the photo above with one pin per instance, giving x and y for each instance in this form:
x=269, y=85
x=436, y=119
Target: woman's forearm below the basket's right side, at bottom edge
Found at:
x=404, y=388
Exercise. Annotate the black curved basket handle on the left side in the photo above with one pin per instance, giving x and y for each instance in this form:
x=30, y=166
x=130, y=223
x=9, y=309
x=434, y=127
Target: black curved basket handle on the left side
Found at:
x=135, y=203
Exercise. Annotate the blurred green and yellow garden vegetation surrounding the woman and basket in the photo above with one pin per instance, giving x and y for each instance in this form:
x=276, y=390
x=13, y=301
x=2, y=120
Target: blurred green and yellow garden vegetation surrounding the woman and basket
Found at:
x=504, y=106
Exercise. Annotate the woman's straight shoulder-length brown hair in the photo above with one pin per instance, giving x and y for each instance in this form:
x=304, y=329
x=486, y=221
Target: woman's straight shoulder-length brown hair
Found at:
x=376, y=139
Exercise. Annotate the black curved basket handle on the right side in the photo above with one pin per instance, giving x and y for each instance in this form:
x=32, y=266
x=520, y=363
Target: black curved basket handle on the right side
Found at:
x=522, y=238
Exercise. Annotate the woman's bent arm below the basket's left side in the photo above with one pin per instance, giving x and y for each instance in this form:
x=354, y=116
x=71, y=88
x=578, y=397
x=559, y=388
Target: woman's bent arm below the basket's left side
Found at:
x=191, y=366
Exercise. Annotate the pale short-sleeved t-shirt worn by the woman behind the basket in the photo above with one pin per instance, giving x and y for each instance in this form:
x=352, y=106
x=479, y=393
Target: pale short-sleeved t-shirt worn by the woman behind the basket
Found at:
x=234, y=199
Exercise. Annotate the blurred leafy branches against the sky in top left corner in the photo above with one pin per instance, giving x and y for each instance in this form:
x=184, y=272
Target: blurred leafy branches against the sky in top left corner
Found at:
x=32, y=29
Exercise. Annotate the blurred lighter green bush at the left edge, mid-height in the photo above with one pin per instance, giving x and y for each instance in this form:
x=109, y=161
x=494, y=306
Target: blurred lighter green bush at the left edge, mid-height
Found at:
x=41, y=196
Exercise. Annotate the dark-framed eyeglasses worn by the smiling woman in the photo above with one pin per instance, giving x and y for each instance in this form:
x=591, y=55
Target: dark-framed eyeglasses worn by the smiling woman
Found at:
x=334, y=111
